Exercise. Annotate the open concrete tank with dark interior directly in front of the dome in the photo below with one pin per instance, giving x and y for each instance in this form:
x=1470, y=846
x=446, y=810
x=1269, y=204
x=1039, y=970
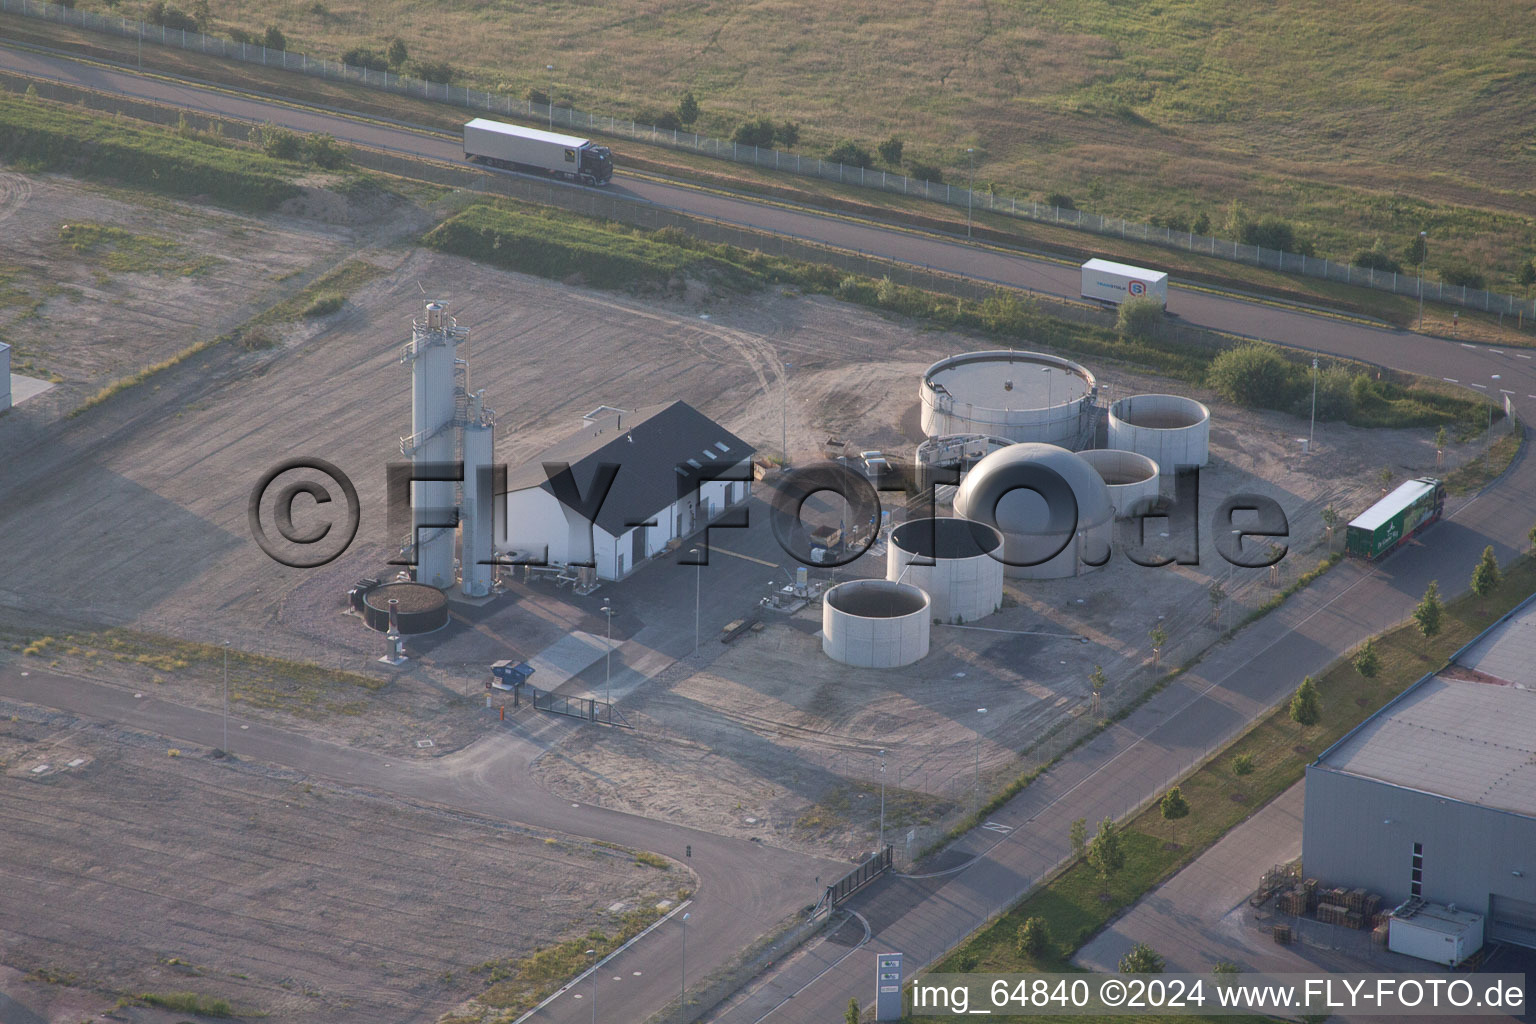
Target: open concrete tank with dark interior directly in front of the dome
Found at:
x=959, y=564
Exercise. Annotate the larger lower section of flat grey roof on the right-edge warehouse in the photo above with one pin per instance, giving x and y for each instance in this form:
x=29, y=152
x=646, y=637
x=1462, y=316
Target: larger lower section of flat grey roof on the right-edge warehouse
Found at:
x=1471, y=741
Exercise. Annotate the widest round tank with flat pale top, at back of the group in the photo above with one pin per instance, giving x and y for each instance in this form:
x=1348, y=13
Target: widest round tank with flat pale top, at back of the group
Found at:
x=1018, y=395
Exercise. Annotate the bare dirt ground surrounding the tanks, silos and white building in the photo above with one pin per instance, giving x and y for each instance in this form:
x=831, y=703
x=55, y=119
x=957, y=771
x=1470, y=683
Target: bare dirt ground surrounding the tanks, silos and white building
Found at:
x=159, y=483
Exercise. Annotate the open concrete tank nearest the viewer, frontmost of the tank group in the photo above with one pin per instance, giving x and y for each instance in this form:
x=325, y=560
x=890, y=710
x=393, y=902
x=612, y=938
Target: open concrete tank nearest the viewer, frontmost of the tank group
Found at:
x=875, y=624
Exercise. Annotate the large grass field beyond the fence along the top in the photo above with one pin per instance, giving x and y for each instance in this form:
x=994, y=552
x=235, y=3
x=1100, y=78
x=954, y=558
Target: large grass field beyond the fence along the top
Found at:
x=1154, y=111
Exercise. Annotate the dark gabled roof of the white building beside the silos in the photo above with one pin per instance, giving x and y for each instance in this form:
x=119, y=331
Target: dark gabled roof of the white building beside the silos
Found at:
x=657, y=457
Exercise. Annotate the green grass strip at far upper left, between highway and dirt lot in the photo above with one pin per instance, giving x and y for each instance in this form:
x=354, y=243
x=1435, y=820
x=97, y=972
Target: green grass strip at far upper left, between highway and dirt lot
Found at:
x=44, y=136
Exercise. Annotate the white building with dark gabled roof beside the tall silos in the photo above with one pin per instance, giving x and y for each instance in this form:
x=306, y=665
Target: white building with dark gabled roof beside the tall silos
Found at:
x=674, y=471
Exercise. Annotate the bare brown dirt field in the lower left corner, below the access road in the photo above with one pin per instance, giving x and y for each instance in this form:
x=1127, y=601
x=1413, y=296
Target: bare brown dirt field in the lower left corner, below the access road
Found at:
x=128, y=871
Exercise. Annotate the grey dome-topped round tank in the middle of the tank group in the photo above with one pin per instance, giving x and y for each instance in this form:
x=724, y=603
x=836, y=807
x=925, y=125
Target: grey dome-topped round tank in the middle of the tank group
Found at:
x=1051, y=507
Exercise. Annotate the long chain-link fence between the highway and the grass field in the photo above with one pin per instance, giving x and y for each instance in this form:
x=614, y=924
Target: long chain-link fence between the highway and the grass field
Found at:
x=568, y=117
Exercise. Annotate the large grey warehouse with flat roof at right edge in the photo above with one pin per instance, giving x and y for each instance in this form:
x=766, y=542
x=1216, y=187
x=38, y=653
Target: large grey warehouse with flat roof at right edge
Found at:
x=1435, y=796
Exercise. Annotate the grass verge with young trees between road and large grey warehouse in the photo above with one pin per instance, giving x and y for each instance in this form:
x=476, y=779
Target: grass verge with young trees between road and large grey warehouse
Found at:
x=1078, y=903
